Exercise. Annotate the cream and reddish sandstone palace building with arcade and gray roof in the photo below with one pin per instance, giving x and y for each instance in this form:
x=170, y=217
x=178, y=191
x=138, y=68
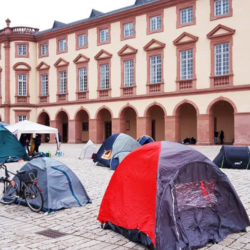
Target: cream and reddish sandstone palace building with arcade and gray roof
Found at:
x=170, y=69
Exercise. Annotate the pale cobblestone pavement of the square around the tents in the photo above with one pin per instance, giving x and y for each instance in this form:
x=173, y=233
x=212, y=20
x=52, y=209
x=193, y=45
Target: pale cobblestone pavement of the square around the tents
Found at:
x=19, y=226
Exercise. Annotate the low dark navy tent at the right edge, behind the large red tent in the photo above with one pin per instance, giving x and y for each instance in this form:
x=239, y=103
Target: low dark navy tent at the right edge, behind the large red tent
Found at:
x=233, y=157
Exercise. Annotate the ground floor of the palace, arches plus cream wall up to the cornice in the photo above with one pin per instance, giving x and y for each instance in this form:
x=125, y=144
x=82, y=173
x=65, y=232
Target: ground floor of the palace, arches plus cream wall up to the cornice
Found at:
x=163, y=118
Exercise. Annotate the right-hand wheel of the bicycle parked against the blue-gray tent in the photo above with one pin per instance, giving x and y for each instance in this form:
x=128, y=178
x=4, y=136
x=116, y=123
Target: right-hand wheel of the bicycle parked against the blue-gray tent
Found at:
x=33, y=197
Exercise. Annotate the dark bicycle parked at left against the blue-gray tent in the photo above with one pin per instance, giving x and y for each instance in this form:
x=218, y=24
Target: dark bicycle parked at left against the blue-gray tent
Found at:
x=23, y=186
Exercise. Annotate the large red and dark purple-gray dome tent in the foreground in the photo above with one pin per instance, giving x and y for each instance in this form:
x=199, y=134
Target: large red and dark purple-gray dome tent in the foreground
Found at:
x=169, y=196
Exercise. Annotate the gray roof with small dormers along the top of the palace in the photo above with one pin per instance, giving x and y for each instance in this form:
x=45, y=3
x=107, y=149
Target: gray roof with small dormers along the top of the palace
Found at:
x=94, y=15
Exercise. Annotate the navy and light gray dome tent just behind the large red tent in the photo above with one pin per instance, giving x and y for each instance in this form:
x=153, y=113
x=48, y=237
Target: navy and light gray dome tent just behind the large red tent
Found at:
x=114, y=149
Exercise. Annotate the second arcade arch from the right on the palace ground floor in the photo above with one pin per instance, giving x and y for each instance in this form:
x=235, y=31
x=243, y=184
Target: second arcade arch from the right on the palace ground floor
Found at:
x=186, y=120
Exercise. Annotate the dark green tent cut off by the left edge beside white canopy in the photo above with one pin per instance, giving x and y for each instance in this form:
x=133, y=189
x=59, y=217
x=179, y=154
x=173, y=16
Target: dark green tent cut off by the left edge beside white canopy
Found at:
x=10, y=146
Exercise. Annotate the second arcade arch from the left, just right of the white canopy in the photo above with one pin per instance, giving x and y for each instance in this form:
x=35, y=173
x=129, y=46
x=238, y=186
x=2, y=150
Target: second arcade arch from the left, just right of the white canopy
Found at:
x=62, y=123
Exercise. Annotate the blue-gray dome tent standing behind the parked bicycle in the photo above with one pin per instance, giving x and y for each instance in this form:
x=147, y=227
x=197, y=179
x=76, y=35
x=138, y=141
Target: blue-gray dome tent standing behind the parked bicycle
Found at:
x=61, y=188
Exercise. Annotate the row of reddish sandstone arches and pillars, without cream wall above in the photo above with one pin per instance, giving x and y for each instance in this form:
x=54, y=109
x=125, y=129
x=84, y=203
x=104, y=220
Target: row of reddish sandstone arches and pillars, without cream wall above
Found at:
x=186, y=121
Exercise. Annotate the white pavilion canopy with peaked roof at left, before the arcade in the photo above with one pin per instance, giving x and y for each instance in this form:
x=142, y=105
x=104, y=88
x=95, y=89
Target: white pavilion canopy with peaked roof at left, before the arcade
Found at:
x=28, y=127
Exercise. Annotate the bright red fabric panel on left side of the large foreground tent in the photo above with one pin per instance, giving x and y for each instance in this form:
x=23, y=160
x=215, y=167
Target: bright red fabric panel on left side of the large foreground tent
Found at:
x=130, y=197
